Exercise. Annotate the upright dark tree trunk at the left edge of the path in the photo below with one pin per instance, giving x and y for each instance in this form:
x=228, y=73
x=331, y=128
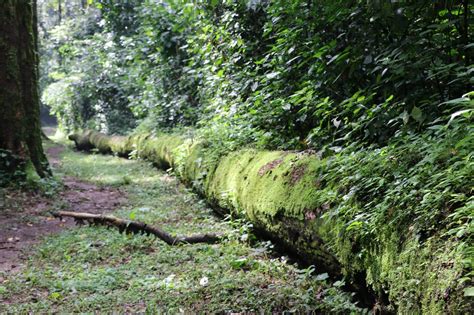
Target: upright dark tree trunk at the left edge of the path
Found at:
x=20, y=130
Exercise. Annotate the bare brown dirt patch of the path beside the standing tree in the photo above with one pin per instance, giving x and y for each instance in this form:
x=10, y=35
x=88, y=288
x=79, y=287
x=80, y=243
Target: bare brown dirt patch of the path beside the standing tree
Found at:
x=25, y=219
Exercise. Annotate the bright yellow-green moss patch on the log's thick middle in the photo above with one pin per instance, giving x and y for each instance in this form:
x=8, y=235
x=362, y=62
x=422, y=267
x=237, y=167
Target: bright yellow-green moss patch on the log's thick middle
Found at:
x=269, y=184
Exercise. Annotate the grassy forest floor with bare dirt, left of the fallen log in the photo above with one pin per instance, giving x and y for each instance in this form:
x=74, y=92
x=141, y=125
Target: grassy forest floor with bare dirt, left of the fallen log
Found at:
x=51, y=265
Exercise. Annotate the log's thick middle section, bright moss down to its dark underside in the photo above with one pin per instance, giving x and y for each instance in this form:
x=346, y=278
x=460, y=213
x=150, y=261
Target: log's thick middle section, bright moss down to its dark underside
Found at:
x=264, y=187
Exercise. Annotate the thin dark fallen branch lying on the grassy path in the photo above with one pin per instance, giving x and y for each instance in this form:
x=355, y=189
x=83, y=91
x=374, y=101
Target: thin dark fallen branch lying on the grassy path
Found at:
x=137, y=227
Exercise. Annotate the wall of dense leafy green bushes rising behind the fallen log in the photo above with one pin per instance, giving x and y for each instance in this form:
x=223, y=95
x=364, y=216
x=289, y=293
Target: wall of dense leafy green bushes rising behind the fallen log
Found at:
x=289, y=74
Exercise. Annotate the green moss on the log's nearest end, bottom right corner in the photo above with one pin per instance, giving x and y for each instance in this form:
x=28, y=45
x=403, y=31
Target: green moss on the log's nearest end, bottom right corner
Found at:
x=433, y=266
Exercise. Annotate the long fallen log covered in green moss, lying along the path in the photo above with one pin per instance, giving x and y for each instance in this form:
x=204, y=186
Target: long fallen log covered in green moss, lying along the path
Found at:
x=282, y=194
